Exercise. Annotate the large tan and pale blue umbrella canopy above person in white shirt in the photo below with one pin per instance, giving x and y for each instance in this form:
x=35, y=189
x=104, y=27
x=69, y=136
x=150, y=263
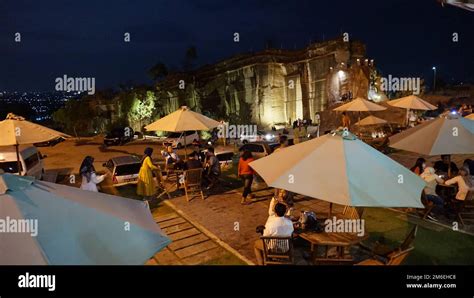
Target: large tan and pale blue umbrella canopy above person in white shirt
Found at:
x=341, y=169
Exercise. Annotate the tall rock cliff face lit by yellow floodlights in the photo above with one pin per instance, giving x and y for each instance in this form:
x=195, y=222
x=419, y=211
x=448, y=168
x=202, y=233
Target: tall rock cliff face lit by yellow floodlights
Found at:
x=273, y=86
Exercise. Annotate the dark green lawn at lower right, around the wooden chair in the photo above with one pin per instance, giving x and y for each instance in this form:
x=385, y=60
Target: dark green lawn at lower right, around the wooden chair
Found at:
x=434, y=245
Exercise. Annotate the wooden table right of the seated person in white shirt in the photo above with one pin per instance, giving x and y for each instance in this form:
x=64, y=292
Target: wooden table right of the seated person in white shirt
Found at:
x=338, y=240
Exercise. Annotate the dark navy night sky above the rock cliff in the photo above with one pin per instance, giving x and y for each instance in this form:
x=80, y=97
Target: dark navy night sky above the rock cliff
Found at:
x=85, y=38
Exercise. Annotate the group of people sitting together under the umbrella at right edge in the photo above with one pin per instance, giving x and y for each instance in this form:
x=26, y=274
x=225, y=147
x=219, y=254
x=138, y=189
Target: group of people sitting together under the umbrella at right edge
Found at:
x=444, y=172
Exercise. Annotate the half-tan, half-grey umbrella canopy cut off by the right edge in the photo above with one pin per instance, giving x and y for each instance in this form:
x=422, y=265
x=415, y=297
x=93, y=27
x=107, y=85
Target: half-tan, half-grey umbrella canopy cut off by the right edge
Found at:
x=445, y=135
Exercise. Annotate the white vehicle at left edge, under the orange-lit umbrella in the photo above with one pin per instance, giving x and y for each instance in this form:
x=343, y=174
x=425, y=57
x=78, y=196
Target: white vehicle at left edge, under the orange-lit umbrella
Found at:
x=31, y=161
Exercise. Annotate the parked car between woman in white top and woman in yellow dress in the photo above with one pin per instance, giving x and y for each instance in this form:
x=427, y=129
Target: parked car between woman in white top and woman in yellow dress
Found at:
x=123, y=169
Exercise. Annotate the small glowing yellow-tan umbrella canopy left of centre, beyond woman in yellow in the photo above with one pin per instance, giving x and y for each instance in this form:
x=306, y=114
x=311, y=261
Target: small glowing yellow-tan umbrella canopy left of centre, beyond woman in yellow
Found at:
x=183, y=120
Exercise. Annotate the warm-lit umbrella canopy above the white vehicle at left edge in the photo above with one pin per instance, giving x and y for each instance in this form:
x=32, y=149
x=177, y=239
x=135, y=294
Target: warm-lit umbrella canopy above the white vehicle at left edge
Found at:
x=16, y=131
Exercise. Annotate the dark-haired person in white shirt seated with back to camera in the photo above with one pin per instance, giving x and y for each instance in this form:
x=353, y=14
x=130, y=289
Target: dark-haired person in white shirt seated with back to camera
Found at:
x=277, y=225
